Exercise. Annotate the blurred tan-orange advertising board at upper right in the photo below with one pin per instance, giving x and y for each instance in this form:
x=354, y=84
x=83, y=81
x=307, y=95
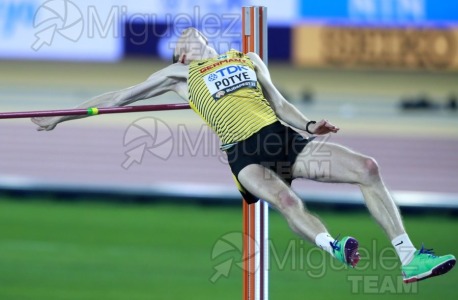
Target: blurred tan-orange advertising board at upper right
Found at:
x=382, y=47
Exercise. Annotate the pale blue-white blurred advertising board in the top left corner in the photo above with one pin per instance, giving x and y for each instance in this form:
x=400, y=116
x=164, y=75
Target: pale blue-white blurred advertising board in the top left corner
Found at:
x=59, y=30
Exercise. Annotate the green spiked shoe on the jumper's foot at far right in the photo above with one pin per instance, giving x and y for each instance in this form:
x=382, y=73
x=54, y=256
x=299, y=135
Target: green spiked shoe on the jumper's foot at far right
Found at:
x=425, y=265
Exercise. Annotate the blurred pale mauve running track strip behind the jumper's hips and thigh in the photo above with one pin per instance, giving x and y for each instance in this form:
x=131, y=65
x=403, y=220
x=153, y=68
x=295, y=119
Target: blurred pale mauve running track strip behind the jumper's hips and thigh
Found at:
x=77, y=155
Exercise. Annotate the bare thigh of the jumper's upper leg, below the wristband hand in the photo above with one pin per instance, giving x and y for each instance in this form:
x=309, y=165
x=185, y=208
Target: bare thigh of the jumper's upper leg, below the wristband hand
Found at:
x=328, y=162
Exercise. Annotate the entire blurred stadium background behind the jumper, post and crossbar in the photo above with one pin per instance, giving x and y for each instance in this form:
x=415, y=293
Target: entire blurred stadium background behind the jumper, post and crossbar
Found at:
x=133, y=206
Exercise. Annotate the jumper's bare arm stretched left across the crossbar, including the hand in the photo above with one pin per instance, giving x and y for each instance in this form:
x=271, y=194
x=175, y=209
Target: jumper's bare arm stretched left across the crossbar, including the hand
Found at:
x=172, y=78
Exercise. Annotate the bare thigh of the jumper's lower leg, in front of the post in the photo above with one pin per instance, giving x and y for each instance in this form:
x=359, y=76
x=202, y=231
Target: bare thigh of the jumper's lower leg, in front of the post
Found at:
x=264, y=184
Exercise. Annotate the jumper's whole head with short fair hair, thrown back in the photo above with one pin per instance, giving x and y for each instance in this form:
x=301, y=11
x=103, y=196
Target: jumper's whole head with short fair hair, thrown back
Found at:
x=192, y=45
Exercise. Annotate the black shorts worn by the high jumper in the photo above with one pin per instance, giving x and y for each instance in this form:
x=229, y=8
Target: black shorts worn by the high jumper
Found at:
x=275, y=147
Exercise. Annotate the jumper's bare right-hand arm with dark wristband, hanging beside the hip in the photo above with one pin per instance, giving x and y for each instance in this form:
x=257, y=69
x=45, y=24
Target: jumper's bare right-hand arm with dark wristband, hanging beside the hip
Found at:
x=285, y=110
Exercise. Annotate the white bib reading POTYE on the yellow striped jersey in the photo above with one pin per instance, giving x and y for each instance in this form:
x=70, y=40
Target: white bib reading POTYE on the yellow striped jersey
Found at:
x=229, y=79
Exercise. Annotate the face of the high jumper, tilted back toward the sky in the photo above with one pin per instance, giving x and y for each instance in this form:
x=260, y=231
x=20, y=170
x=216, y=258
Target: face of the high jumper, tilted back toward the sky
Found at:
x=197, y=48
